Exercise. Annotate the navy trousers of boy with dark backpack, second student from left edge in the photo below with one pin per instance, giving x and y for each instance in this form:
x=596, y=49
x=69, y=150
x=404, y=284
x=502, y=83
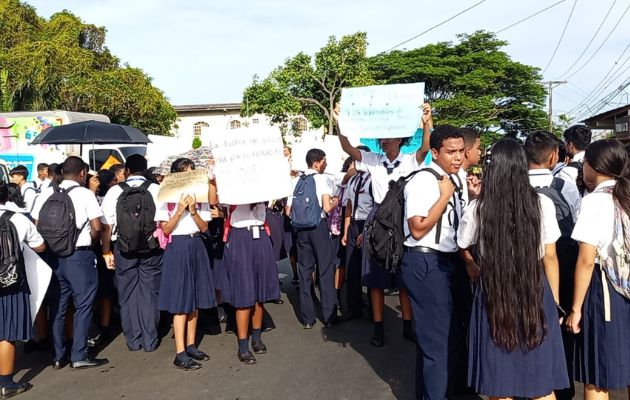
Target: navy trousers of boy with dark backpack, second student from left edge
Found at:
x=75, y=279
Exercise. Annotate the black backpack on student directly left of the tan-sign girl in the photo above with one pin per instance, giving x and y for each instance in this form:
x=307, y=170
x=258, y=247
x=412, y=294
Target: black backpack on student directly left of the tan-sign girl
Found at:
x=135, y=220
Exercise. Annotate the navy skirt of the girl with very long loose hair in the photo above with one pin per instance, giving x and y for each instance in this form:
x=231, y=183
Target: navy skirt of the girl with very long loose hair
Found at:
x=492, y=371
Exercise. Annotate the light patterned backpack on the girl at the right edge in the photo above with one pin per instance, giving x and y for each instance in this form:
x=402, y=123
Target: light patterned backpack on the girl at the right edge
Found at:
x=617, y=265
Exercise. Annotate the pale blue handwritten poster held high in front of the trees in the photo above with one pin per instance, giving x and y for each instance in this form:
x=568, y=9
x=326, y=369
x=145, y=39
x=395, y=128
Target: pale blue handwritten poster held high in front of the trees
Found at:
x=385, y=111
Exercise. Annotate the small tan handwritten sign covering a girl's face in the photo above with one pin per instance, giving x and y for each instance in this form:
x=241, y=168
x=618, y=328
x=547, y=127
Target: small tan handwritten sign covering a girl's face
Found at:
x=194, y=183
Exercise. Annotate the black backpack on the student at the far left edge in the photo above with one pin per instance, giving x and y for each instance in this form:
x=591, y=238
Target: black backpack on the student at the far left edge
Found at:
x=12, y=270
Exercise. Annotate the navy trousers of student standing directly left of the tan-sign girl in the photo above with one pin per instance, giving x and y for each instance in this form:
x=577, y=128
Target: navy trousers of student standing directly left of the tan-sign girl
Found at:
x=138, y=283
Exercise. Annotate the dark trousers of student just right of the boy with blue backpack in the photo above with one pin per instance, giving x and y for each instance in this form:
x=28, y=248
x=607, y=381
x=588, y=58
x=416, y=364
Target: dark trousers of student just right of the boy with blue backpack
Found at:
x=354, y=258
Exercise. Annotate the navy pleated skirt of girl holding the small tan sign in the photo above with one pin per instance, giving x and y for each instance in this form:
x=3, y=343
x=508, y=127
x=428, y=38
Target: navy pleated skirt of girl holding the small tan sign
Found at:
x=187, y=283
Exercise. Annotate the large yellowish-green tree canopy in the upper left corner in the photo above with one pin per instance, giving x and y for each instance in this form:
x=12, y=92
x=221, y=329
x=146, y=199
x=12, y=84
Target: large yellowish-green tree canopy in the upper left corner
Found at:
x=63, y=63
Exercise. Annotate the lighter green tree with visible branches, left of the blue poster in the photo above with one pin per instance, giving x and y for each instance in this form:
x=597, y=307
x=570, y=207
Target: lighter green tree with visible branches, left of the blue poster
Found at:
x=311, y=85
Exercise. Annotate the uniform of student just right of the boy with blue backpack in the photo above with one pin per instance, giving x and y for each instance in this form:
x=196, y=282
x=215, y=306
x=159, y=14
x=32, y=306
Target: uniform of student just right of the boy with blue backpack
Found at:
x=359, y=193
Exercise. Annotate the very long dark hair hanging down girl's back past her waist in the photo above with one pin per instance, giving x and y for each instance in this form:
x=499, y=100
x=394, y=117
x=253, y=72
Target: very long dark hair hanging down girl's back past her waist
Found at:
x=509, y=238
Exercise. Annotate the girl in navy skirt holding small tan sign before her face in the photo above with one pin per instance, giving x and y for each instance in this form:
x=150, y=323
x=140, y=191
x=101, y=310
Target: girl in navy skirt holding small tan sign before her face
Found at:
x=187, y=283
